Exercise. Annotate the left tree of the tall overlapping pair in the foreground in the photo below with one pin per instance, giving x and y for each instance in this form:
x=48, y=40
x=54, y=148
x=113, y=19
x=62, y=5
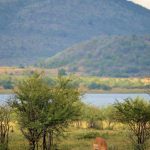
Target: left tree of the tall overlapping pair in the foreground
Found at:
x=31, y=97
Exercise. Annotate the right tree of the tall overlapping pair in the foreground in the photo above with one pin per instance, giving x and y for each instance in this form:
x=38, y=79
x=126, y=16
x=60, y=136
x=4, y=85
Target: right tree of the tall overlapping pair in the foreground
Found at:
x=64, y=108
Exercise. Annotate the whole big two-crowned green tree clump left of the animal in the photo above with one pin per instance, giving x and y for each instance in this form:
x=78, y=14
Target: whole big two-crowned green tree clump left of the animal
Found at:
x=44, y=110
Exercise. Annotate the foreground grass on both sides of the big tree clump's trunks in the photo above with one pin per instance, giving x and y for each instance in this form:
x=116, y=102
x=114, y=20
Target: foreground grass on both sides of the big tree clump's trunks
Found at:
x=77, y=139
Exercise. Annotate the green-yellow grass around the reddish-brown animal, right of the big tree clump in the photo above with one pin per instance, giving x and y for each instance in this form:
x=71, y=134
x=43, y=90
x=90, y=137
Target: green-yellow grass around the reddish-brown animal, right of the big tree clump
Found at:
x=115, y=139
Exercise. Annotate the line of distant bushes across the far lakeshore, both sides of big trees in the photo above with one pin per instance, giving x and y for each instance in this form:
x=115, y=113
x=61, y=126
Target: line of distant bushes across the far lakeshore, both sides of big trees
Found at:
x=84, y=83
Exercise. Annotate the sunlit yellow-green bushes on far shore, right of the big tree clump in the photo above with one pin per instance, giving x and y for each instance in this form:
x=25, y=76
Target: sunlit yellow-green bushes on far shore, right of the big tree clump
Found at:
x=111, y=83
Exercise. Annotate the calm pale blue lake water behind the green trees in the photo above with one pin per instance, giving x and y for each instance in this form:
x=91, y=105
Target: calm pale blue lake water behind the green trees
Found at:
x=94, y=99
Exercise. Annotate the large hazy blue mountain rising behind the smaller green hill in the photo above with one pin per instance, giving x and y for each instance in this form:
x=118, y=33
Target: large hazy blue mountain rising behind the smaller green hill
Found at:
x=36, y=29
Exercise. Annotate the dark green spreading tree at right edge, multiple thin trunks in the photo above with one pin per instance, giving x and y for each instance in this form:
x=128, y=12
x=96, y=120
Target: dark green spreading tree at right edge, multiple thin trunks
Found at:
x=136, y=114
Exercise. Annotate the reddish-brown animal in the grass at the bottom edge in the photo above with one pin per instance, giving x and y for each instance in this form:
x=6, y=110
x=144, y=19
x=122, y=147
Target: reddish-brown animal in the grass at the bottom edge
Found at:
x=99, y=144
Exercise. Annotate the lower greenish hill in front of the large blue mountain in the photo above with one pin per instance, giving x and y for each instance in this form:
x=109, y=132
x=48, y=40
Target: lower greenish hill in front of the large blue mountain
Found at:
x=115, y=56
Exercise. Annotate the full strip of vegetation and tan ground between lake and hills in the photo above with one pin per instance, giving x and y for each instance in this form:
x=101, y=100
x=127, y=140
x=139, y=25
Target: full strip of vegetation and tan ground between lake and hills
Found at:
x=11, y=77
